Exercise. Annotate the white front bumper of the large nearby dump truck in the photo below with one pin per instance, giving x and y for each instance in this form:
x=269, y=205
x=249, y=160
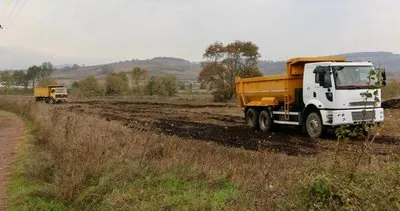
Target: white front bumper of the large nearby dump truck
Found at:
x=352, y=117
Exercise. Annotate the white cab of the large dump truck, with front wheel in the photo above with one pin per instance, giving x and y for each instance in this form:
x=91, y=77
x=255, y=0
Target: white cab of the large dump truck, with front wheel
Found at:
x=336, y=90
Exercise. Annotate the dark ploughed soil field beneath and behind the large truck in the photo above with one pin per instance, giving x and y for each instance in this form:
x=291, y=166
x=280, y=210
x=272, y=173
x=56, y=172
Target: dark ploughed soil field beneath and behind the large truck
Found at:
x=219, y=123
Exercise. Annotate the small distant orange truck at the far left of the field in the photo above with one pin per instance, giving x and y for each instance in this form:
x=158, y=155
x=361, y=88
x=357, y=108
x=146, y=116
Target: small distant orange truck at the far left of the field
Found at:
x=51, y=94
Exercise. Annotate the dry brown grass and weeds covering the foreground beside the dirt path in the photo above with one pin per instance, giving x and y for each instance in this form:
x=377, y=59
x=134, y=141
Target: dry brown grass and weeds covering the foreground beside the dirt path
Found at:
x=90, y=163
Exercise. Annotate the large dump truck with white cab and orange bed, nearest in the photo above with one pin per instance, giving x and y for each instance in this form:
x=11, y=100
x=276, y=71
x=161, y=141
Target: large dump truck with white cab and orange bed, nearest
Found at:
x=316, y=93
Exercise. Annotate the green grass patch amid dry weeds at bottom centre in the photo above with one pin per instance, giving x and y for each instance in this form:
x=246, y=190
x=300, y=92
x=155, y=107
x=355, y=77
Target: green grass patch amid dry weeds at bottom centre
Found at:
x=170, y=191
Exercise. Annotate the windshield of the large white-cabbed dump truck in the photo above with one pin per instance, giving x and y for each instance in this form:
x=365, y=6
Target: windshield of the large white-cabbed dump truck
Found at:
x=352, y=77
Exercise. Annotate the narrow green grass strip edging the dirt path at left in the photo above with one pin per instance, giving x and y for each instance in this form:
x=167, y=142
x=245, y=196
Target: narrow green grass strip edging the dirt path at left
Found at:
x=22, y=193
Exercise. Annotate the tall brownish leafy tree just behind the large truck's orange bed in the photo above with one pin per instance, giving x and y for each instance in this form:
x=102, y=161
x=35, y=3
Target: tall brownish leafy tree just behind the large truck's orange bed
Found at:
x=225, y=62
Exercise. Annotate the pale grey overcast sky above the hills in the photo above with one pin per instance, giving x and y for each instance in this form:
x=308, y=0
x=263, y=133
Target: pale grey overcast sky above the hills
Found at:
x=111, y=30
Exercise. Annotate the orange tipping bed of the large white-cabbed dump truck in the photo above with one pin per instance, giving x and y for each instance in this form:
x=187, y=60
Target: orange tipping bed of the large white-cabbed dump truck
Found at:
x=278, y=89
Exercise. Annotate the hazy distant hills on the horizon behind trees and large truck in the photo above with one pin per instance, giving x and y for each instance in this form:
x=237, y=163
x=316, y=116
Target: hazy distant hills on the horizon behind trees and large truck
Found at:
x=186, y=70
